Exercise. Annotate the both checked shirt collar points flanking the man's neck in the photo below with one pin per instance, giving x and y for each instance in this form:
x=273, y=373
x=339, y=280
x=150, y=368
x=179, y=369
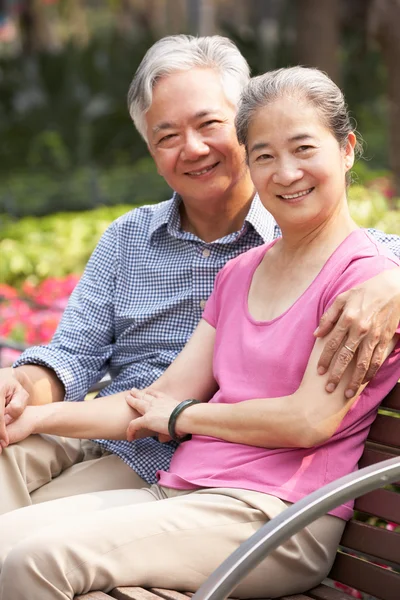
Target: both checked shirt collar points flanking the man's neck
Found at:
x=167, y=213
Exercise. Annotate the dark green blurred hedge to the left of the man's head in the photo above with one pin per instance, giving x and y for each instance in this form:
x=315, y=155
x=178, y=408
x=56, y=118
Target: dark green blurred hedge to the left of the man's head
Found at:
x=67, y=109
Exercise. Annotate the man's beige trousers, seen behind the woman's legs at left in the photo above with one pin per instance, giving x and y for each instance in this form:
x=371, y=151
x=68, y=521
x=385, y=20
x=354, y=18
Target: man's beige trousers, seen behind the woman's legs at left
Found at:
x=45, y=467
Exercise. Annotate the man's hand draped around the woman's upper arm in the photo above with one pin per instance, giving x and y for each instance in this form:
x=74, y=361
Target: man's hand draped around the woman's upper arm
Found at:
x=360, y=321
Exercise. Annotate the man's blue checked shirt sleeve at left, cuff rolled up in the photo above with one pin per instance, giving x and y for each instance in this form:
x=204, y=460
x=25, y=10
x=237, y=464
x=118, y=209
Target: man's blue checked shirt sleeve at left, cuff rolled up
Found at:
x=83, y=342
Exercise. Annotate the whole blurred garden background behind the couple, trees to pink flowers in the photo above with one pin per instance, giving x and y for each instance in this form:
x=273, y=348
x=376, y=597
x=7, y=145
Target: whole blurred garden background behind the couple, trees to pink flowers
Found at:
x=71, y=160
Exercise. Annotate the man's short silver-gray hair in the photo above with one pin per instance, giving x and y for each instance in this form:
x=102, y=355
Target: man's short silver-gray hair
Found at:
x=181, y=53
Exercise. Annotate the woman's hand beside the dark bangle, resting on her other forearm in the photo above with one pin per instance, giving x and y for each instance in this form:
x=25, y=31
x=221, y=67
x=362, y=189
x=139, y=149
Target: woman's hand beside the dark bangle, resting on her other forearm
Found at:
x=155, y=408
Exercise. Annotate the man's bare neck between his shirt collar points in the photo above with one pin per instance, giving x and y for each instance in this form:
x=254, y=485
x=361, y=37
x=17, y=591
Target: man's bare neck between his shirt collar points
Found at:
x=213, y=221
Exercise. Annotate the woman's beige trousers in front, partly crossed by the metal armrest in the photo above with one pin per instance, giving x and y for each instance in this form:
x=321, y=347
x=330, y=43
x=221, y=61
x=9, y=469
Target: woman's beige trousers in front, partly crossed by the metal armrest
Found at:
x=153, y=537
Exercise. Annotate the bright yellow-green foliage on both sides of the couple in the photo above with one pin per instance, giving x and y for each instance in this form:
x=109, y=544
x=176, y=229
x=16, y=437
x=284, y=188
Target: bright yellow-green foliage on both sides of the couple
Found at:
x=34, y=249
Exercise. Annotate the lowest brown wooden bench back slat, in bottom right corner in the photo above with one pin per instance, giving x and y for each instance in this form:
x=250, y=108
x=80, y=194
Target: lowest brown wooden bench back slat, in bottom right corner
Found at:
x=366, y=577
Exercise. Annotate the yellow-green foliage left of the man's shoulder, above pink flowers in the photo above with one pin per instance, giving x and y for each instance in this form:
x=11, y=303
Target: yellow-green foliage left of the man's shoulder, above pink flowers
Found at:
x=33, y=249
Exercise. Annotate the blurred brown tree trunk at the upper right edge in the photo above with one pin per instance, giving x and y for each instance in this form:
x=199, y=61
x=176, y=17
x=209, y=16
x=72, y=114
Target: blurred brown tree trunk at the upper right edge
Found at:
x=384, y=24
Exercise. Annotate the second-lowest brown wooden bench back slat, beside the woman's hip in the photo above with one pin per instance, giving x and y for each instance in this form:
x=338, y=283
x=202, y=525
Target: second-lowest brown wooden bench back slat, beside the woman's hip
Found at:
x=375, y=541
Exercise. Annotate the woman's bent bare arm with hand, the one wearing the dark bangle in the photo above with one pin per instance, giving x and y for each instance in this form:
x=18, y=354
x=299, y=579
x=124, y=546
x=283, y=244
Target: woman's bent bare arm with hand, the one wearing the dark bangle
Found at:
x=306, y=418
